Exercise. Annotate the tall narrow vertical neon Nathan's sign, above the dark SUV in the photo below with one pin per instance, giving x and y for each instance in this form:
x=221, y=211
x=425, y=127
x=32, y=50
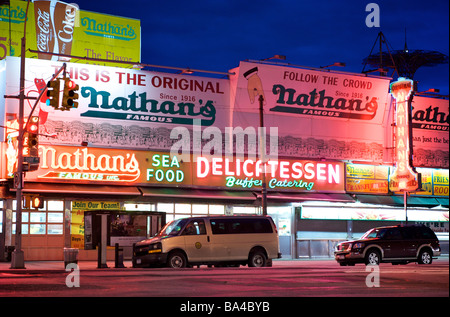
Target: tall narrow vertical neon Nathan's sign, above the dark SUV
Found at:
x=403, y=178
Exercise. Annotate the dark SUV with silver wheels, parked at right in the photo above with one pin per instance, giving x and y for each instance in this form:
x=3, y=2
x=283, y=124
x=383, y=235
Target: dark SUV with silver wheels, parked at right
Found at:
x=395, y=244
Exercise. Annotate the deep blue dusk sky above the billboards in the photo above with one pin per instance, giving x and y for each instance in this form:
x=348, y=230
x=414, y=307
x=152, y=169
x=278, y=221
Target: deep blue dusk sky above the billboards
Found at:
x=217, y=35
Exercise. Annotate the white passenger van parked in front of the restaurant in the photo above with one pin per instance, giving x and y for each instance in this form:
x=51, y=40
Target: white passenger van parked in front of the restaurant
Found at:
x=219, y=240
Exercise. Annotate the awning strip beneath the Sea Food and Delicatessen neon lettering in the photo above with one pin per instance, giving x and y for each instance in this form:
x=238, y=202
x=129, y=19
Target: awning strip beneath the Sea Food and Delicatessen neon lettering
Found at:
x=196, y=193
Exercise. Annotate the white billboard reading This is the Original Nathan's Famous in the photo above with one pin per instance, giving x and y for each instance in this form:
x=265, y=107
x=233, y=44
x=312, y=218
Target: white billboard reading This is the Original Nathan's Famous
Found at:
x=121, y=108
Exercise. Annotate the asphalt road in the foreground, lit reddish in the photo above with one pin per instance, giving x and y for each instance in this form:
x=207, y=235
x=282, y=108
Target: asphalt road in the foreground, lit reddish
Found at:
x=284, y=279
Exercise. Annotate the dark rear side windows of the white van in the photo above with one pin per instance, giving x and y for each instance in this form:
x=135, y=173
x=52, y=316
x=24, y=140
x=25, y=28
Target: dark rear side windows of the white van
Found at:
x=240, y=226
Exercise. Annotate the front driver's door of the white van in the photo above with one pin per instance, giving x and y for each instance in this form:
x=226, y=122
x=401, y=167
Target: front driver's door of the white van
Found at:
x=196, y=241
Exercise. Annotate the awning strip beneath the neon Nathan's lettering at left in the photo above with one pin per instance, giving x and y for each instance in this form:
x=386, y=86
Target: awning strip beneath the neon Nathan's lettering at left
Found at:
x=43, y=188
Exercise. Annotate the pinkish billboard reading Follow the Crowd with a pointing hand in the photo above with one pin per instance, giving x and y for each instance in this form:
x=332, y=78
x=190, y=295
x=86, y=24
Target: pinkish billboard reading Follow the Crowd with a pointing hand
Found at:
x=318, y=113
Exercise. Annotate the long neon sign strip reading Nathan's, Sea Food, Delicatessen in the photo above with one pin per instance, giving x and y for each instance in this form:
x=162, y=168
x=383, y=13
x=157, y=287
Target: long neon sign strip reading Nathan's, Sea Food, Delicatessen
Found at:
x=115, y=166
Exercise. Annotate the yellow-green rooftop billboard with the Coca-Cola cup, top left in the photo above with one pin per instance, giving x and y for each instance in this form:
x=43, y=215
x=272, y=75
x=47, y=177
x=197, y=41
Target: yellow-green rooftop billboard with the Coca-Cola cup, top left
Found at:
x=62, y=28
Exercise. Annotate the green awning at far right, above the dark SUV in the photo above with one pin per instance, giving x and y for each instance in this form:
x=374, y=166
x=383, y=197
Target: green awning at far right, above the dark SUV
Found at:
x=413, y=201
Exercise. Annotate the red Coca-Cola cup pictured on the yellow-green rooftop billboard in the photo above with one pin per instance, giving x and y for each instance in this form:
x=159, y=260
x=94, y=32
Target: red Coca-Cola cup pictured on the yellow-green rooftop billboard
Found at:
x=55, y=26
